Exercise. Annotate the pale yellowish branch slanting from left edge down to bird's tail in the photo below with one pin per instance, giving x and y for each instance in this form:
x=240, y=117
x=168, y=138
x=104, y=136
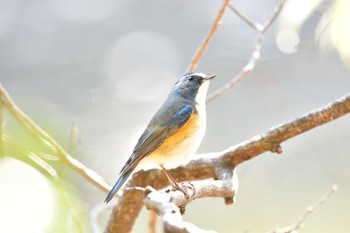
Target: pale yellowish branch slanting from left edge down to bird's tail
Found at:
x=49, y=142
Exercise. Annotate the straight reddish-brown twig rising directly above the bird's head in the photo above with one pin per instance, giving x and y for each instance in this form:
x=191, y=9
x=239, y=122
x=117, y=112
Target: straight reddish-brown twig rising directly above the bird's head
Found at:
x=200, y=51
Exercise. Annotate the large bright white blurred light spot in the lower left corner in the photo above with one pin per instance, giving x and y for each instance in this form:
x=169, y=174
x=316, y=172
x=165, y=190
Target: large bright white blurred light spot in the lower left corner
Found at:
x=26, y=198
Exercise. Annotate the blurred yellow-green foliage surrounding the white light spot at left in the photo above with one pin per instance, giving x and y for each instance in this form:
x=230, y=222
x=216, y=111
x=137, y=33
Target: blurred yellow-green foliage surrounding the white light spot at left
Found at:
x=21, y=142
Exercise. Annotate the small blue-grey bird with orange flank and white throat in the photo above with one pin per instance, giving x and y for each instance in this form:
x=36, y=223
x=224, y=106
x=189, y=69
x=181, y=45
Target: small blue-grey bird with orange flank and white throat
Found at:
x=175, y=131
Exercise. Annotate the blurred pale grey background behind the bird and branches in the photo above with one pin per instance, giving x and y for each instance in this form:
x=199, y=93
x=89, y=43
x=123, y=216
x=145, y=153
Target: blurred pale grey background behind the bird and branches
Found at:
x=108, y=65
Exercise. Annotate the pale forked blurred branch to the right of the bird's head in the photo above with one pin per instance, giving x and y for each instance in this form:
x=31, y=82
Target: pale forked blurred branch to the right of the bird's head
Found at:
x=255, y=56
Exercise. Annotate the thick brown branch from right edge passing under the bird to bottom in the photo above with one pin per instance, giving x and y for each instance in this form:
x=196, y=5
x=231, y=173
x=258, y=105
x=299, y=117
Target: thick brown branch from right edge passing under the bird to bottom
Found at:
x=210, y=165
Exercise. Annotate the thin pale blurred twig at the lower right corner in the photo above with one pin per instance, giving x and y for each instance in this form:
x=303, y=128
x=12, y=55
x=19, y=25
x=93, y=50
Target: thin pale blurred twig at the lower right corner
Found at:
x=309, y=210
